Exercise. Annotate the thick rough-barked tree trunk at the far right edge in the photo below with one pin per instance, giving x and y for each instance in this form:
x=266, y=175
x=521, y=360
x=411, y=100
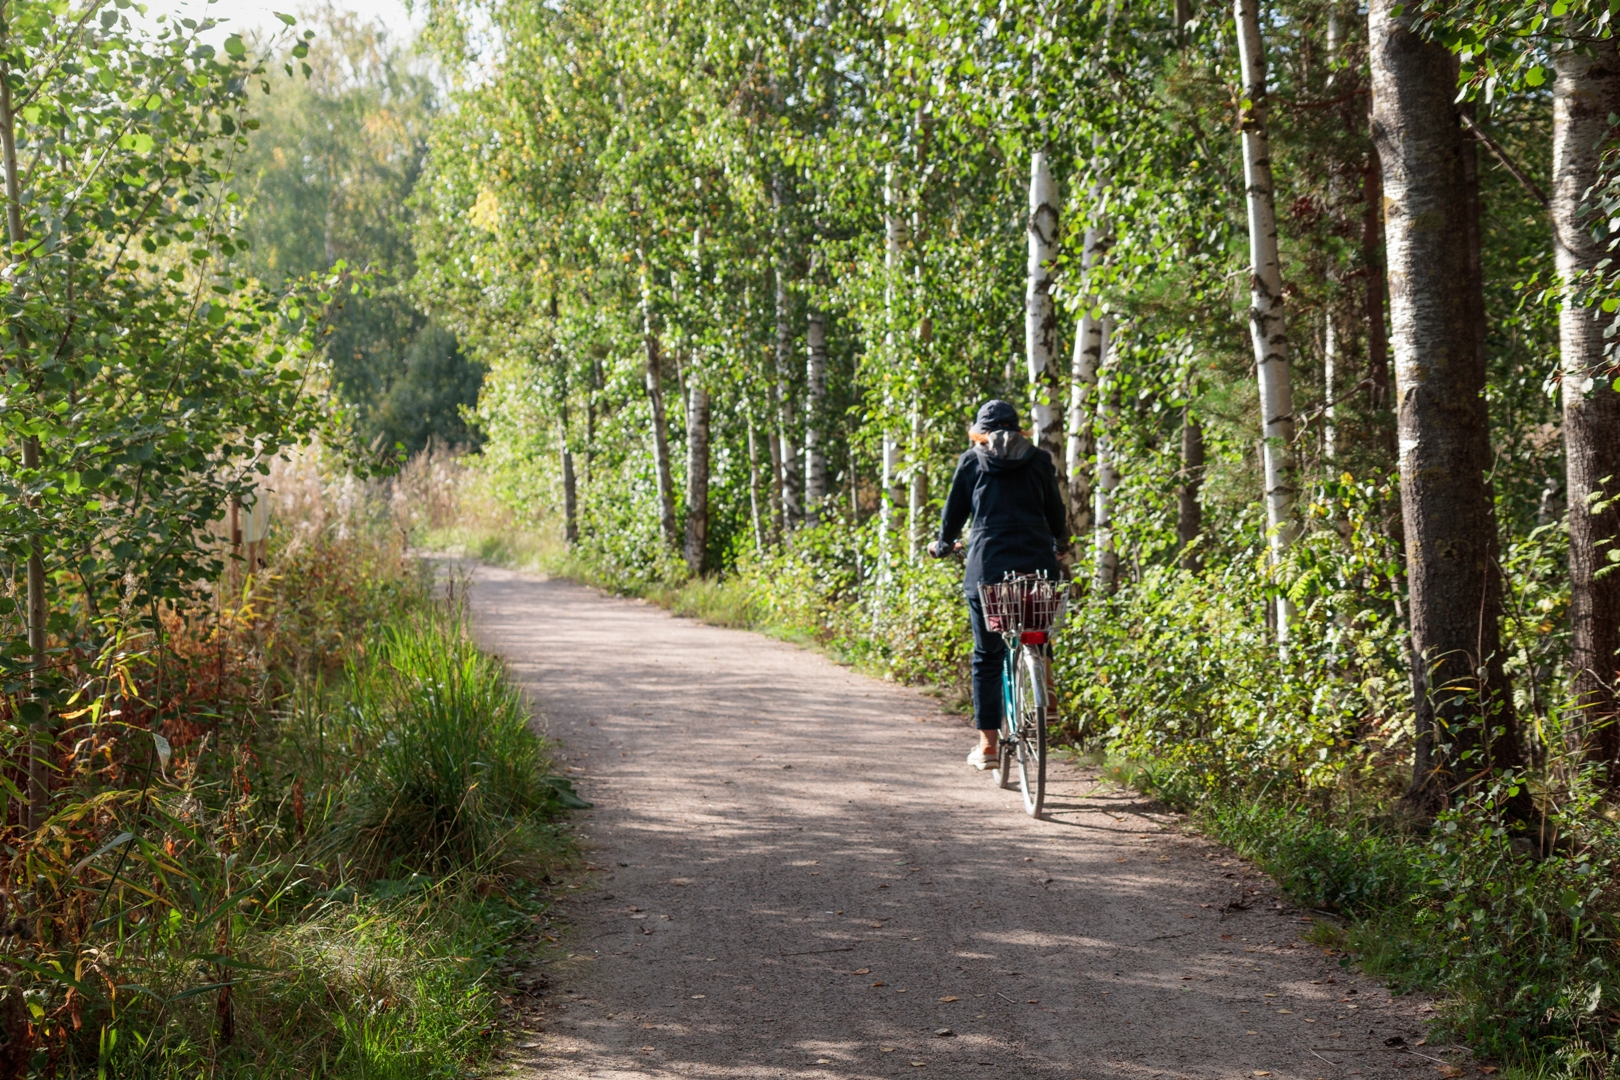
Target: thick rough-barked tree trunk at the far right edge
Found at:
x=1585, y=96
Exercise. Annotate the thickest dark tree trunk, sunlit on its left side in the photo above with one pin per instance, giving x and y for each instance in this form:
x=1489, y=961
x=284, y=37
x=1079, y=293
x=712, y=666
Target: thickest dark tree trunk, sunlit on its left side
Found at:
x=1465, y=708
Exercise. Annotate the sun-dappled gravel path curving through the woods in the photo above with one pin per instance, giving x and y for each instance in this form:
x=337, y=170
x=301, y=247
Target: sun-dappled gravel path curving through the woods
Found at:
x=795, y=875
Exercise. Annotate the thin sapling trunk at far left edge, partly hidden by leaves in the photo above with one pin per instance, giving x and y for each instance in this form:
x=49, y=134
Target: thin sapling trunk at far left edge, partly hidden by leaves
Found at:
x=41, y=742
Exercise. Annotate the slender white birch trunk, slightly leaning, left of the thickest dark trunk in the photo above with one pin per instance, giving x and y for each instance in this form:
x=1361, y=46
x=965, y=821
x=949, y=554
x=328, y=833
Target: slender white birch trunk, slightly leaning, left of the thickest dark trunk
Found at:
x=1266, y=299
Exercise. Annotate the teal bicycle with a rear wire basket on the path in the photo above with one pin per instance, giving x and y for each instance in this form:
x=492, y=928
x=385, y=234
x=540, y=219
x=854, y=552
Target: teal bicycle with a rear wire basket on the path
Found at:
x=1026, y=611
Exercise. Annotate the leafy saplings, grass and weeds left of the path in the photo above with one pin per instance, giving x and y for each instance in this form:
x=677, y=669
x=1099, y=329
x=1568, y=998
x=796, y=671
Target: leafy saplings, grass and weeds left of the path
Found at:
x=268, y=812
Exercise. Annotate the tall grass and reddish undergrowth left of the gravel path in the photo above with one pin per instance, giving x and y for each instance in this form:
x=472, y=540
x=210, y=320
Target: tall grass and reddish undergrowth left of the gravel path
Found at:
x=297, y=835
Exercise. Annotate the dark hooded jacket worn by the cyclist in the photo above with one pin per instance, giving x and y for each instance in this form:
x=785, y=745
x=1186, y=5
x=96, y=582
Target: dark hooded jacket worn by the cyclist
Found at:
x=1010, y=488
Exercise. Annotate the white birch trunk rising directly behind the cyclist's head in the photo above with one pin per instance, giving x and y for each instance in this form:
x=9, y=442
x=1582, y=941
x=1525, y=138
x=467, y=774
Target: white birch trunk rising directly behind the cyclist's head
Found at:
x=1041, y=320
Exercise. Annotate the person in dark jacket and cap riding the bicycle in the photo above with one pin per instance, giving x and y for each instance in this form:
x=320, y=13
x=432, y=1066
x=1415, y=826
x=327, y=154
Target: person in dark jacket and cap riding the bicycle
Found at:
x=1010, y=488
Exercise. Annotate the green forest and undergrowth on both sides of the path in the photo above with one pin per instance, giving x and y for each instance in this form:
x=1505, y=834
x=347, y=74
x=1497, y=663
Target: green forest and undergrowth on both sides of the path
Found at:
x=1310, y=302
